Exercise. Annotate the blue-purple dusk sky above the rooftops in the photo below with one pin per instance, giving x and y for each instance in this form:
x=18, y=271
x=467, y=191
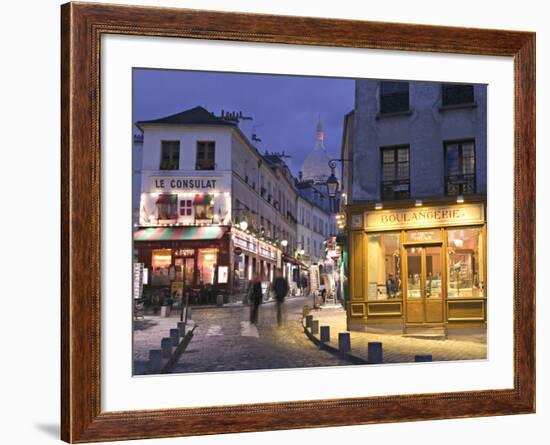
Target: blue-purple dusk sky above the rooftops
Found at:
x=285, y=109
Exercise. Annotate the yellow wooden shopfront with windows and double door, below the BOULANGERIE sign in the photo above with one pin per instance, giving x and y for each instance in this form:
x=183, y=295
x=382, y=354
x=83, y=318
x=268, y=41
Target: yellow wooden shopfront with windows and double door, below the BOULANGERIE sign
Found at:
x=432, y=276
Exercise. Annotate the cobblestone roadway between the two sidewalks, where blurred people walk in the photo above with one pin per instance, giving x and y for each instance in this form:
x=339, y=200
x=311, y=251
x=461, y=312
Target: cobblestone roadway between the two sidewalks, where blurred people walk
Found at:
x=226, y=341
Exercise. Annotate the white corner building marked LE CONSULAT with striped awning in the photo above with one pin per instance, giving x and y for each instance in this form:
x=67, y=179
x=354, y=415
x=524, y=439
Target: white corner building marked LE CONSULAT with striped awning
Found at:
x=213, y=212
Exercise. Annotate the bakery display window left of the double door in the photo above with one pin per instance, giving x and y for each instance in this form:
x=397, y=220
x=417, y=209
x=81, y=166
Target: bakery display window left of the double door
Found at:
x=384, y=266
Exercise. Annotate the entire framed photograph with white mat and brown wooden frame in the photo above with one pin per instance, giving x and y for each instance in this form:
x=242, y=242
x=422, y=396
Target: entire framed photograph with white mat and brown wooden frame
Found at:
x=275, y=222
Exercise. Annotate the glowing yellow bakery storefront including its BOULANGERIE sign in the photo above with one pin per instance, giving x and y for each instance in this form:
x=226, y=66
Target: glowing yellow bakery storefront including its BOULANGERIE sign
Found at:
x=418, y=267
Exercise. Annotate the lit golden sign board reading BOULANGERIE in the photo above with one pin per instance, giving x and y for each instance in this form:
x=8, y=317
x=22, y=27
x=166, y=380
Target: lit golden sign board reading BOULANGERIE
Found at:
x=440, y=216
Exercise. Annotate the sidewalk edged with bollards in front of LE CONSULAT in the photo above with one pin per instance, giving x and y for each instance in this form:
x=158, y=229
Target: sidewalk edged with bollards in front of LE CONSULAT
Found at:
x=148, y=333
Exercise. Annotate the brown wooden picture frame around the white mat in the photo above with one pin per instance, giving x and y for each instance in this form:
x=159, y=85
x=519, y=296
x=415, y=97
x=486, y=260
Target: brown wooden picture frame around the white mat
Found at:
x=82, y=26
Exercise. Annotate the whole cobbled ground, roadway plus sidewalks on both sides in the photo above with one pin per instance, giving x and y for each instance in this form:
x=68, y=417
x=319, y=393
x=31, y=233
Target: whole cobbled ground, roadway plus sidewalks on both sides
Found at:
x=224, y=340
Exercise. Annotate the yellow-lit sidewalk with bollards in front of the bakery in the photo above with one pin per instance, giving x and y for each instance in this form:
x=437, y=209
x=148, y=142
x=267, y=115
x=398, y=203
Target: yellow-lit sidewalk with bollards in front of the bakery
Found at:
x=399, y=349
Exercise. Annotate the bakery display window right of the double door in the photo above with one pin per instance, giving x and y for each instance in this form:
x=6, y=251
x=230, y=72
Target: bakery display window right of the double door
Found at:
x=466, y=275
